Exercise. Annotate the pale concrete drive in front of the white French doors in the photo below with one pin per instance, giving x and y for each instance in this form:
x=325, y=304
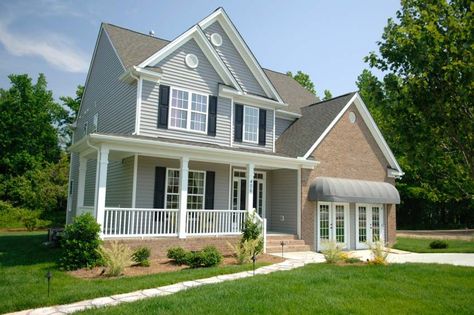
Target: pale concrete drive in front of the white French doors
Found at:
x=397, y=256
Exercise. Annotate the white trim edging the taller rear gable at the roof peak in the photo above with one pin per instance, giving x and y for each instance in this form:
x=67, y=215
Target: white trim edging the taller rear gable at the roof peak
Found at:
x=244, y=51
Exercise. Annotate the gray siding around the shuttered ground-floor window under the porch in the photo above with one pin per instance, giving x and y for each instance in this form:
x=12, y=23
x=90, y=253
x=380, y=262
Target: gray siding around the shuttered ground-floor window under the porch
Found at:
x=146, y=180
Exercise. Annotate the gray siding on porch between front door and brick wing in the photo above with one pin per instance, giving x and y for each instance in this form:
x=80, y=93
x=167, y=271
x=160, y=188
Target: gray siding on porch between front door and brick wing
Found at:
x=284, y=199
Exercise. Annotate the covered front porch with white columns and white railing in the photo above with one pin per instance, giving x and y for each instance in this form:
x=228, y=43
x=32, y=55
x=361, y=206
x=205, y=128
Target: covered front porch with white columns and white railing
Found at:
x=138, y=193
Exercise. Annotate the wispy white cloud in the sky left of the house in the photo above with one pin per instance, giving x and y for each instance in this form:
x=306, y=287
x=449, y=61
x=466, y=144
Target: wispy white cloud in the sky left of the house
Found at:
x=55, y=49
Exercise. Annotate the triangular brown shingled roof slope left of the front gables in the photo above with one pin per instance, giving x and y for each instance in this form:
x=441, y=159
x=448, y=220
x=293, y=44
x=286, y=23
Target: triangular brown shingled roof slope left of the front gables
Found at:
x=133, y=47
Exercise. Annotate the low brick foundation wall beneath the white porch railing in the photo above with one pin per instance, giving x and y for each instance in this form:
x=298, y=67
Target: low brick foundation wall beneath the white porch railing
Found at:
x=159, y=246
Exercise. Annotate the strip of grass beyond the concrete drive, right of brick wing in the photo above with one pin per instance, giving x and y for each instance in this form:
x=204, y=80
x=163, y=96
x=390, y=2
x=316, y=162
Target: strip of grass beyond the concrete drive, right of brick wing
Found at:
x=422, y=245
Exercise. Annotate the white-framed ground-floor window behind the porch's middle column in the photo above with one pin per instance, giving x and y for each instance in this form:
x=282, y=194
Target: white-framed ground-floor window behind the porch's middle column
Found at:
x=196, y=184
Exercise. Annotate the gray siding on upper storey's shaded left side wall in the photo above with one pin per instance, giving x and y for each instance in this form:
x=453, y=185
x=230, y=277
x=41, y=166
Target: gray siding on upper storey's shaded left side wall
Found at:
x=105, y=94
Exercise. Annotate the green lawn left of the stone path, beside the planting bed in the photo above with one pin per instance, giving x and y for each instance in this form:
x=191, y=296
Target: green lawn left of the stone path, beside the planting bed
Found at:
x=24, y=262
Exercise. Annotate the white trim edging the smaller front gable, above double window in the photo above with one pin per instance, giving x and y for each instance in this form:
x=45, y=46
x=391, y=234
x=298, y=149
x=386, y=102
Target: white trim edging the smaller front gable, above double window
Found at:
x=197, y=34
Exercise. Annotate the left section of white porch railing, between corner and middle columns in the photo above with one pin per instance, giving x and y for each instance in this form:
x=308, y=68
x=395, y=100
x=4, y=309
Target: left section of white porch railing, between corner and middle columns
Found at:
x=123, y=222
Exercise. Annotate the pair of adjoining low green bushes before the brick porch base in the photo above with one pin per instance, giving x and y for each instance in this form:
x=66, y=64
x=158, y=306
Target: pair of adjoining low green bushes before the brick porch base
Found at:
x=208, y=257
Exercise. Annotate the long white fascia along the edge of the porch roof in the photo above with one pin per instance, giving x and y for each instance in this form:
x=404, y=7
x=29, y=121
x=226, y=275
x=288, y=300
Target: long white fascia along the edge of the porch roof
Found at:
x=155, y=147
